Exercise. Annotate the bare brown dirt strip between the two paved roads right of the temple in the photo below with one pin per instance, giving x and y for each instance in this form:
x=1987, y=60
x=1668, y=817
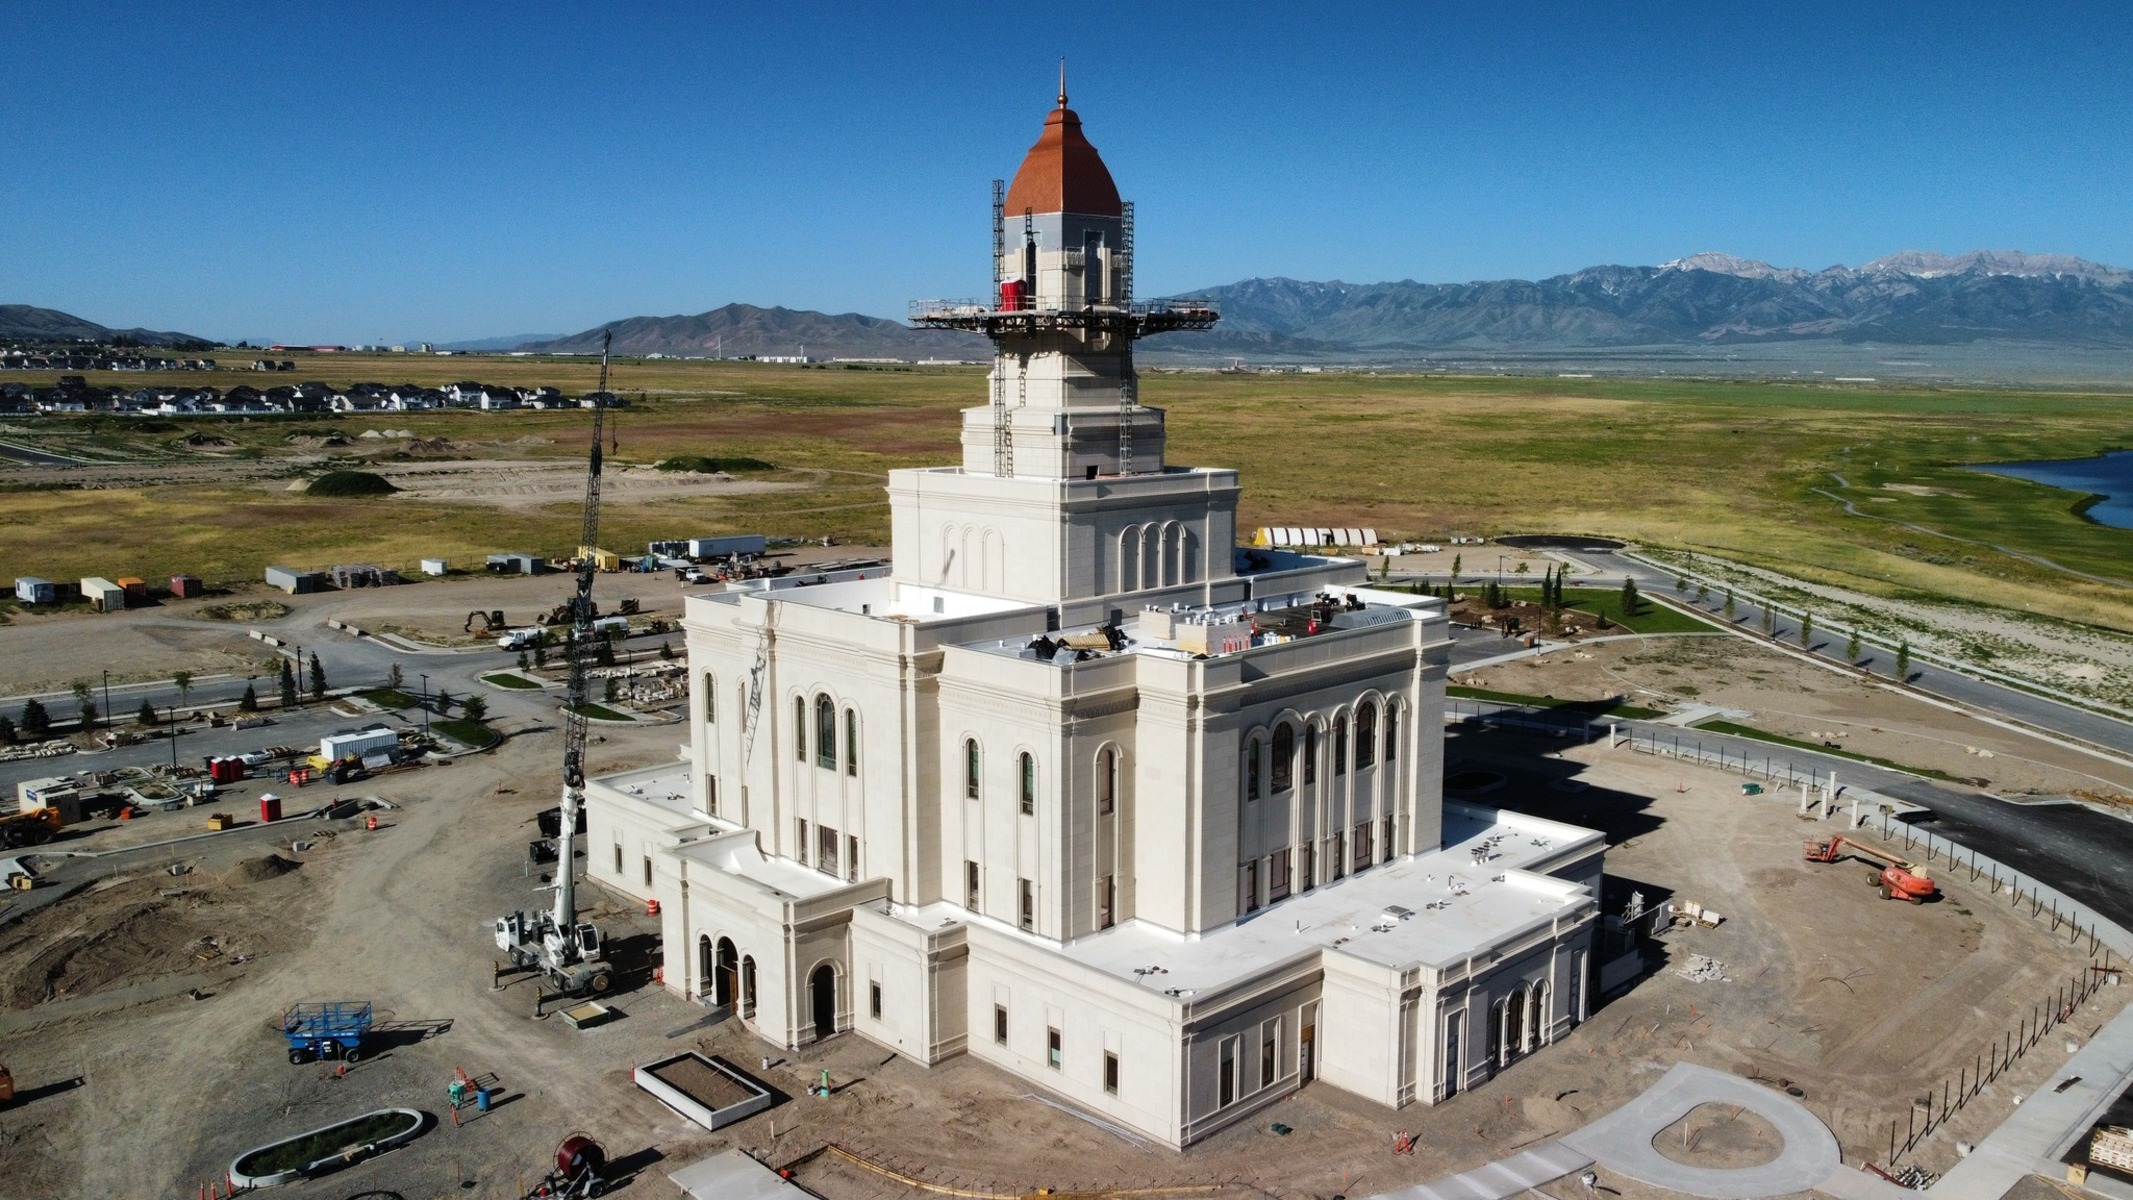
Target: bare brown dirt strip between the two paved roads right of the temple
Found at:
x=1814, y=704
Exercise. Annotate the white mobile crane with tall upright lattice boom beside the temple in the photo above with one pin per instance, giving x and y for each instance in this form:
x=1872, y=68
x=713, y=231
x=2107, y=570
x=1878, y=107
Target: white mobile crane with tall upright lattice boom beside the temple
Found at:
x=556, y=943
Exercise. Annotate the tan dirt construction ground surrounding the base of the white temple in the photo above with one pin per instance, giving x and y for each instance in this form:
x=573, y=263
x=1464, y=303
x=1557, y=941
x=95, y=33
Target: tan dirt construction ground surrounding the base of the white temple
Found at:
x=1855, y=1001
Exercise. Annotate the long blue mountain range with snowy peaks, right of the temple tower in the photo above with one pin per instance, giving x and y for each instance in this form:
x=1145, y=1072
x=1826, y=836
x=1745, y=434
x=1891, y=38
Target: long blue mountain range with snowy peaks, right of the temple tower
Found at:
x=1705, y=299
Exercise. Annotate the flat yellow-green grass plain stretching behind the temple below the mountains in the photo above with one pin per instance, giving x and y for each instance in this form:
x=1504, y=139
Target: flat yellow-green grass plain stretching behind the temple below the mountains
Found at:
x=1748, y=470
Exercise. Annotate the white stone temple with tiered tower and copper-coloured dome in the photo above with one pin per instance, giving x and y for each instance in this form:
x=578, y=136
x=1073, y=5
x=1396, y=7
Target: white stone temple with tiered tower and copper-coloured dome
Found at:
x=1080, y=785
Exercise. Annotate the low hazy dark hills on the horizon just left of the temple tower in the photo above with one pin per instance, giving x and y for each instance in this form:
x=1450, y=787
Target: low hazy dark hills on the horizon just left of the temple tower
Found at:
x=739, y=331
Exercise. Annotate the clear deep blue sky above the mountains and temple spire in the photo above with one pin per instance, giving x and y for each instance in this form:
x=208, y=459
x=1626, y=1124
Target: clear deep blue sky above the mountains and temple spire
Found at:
x=370, y=172
